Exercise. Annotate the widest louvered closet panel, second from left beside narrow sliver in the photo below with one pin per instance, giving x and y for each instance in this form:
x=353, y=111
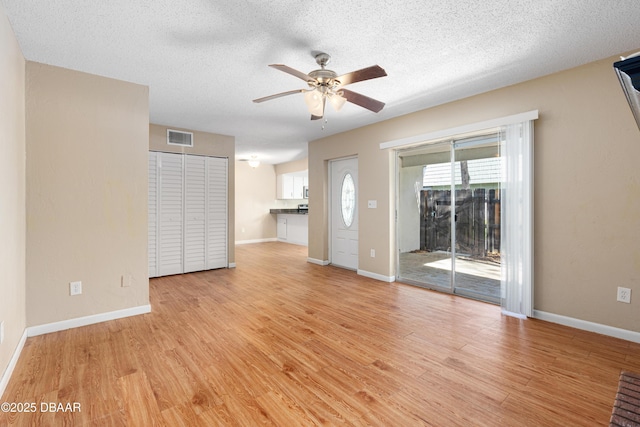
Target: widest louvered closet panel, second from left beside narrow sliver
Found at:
x=170, y=218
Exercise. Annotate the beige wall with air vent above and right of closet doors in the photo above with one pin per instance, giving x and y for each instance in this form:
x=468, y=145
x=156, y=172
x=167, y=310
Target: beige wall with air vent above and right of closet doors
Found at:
x=205, y=144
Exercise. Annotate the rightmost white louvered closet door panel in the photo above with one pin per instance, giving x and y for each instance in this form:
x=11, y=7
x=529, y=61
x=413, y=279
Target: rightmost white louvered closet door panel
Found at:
x=217, y=212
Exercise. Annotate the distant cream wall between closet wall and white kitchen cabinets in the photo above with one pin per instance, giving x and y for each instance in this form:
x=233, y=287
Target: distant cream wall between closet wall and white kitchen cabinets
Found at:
x=256, y=194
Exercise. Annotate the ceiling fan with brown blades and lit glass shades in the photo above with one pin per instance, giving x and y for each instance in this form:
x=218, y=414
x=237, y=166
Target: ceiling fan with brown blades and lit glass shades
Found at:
x=328, y=85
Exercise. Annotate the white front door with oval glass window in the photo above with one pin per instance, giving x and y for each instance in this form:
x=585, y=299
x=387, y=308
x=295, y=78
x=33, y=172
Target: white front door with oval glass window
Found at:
x=344, y=213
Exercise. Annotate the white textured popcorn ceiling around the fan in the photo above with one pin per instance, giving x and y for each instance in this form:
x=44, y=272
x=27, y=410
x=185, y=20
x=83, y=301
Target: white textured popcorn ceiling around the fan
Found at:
x=205, y=60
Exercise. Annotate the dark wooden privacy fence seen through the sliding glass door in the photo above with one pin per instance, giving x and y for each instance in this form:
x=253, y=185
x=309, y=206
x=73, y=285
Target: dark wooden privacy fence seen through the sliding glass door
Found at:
x=477, y=221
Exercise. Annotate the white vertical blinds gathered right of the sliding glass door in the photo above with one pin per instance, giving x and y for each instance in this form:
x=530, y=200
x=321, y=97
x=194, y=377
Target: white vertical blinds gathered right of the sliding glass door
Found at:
x=516, y=244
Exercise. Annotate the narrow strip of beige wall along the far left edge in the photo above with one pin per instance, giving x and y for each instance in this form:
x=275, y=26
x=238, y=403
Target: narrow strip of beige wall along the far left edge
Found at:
x=12, y=192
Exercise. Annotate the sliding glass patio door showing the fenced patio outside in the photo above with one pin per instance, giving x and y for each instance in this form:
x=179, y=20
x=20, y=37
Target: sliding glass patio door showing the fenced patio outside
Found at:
x=449, y=216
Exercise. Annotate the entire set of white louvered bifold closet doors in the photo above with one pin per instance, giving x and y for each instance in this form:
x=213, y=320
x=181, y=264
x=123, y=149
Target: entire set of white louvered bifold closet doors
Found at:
x=187, y=213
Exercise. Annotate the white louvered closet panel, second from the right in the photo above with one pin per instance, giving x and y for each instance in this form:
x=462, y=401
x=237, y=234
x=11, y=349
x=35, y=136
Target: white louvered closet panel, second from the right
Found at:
x=195, y=213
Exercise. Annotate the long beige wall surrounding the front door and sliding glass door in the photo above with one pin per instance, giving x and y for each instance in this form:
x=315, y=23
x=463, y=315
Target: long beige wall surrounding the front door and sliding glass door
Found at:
x=587, y=188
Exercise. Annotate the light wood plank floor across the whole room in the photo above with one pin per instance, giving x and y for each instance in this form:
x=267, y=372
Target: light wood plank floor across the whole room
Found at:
x=279, y=341
